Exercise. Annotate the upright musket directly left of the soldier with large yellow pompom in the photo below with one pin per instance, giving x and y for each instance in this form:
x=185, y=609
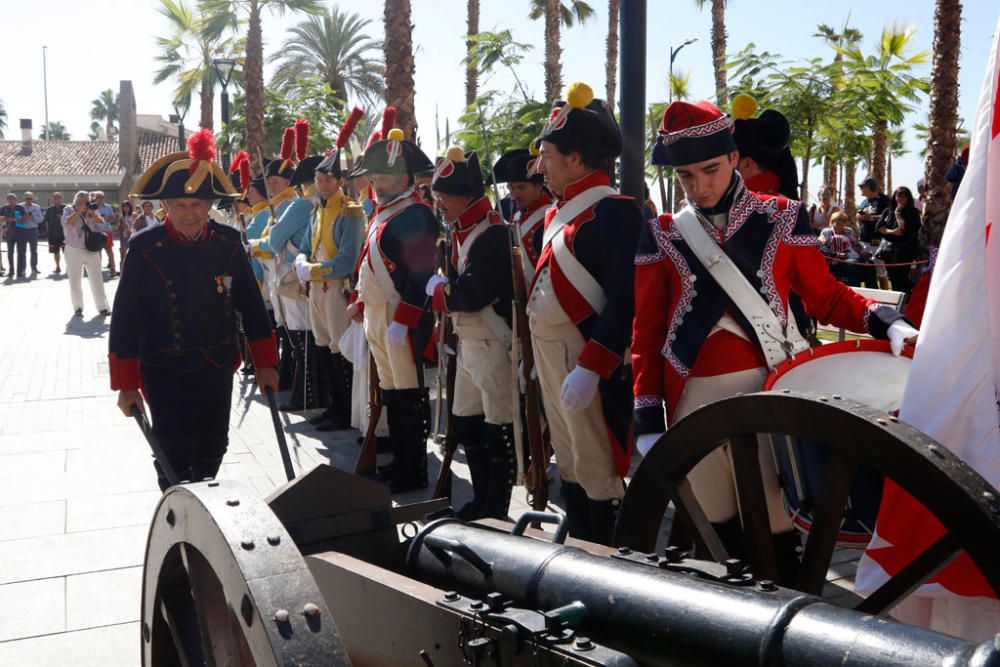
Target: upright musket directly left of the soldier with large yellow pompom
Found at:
x=536, y=478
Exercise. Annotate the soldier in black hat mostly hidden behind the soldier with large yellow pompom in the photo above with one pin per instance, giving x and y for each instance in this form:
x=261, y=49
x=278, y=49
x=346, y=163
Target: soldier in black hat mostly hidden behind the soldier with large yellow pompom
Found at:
x=517, y=168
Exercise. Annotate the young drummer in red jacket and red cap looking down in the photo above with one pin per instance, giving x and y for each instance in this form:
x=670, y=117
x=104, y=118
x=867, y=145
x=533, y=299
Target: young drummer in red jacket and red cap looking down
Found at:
x=692, y=342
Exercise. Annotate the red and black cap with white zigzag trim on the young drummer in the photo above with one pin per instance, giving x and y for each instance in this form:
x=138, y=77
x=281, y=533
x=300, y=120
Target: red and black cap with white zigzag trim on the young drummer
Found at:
x=691, y=133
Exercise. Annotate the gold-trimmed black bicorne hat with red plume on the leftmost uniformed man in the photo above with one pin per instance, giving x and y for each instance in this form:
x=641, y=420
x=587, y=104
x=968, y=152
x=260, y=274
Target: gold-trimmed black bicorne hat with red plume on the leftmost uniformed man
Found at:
x=193, y=174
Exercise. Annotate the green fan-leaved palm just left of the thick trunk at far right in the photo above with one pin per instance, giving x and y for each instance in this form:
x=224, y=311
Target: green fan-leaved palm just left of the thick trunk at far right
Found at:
x=883, y=84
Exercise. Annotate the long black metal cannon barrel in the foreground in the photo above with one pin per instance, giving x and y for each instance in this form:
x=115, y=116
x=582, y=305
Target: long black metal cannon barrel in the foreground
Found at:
x=665, y=618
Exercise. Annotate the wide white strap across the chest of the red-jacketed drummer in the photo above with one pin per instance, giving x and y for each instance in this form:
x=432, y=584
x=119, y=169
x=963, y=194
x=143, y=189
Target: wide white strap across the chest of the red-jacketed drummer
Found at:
x=778, y=344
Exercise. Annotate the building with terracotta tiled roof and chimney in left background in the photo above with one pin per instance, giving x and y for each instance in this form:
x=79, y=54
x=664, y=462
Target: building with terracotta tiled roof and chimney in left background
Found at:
x=67, y=166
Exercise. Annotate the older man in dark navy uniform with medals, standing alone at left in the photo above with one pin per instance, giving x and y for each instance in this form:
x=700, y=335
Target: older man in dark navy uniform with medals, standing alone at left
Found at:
x=174, y=331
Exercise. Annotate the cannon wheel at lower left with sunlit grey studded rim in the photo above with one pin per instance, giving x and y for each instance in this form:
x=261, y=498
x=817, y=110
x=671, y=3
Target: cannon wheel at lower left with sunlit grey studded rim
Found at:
x=224, y=584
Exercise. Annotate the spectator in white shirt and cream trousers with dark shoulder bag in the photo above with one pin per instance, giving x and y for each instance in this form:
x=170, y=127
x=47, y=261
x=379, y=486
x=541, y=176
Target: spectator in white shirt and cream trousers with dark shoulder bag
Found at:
x=78, y=258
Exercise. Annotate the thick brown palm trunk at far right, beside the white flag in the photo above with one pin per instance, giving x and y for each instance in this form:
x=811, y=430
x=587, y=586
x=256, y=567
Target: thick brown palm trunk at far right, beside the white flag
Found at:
x=942, y=132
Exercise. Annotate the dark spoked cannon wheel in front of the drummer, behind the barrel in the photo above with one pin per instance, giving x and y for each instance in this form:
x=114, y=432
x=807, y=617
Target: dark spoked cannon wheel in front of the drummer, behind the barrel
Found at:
x=856, y=435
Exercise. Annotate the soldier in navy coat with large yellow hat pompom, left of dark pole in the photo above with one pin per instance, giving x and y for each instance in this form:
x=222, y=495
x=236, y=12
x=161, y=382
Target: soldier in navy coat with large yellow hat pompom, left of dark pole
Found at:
x=580, y=307
